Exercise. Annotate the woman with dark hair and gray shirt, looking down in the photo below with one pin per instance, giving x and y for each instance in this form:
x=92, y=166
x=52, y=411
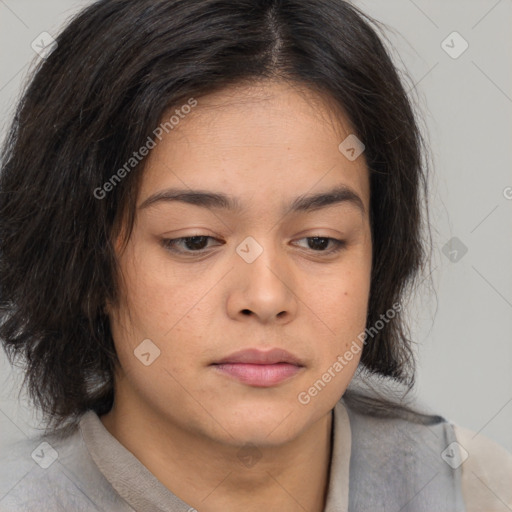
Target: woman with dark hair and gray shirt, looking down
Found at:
x=229, y=213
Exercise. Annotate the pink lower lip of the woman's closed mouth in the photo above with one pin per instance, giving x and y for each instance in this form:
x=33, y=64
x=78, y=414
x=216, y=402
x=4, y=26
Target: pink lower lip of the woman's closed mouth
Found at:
x=260, y=375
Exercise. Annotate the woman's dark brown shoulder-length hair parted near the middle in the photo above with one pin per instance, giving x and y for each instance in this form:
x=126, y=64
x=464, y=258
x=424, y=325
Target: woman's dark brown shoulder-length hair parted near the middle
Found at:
x=118, y=66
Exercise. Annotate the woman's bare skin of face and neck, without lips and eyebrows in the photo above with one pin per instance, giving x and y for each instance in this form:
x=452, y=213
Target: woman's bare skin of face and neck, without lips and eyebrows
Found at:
x=264, y=144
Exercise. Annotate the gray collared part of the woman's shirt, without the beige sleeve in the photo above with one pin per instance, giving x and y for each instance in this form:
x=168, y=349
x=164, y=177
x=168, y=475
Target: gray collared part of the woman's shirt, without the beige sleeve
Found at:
x=377, y=464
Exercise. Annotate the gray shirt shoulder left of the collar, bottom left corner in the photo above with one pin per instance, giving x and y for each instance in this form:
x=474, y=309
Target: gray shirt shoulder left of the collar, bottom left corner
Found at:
x=53, y=473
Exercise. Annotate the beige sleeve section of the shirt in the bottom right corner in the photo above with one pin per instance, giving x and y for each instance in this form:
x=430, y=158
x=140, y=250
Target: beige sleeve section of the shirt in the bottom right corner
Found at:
x=486, y=472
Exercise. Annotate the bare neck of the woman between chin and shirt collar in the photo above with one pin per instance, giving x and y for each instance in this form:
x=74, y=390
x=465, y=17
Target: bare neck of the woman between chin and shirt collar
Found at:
x=212, y=477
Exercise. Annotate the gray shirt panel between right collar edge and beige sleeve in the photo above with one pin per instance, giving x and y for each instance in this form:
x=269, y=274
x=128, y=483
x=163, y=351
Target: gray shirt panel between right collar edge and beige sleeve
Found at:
x=397, y=460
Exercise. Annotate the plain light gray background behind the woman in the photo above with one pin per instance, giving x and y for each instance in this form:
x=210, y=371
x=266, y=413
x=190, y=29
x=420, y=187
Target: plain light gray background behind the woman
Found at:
x=463, y=331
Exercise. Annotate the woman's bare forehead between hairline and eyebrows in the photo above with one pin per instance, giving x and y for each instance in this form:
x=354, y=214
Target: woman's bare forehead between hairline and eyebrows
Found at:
x=272, y=137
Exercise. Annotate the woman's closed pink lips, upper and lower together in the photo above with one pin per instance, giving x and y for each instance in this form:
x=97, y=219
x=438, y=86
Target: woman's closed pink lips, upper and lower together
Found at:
x=256, y=368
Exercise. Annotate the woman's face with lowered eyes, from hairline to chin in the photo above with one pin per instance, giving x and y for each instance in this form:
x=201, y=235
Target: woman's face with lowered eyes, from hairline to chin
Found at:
x=254, y=278
